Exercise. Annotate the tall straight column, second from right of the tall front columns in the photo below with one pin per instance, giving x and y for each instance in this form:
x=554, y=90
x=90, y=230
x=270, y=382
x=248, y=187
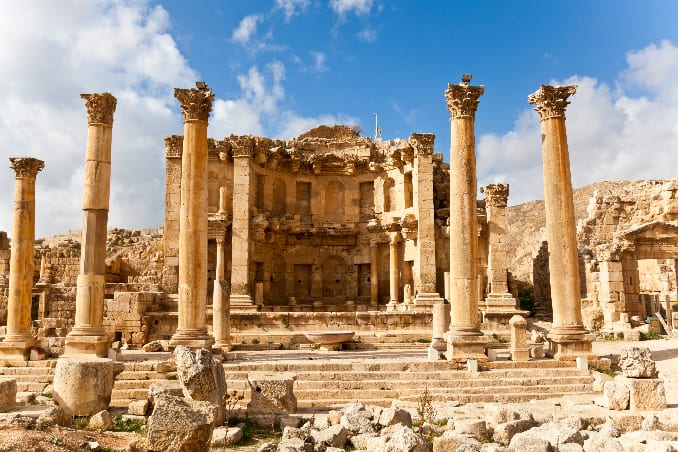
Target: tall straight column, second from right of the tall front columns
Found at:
x=464, y=339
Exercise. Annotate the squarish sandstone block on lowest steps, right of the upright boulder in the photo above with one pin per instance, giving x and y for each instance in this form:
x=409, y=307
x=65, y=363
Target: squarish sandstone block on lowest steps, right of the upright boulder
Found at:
x=271, y=394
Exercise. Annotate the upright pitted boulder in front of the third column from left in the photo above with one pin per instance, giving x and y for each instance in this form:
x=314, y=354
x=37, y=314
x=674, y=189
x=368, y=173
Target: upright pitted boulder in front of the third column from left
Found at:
x=202, y=377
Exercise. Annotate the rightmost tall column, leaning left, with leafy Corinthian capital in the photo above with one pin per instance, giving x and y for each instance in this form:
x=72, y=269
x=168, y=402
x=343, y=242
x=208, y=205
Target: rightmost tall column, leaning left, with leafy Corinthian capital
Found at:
x=568, y=338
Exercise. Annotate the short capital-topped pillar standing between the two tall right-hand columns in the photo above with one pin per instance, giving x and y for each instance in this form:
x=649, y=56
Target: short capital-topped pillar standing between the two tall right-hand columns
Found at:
x=500, y=306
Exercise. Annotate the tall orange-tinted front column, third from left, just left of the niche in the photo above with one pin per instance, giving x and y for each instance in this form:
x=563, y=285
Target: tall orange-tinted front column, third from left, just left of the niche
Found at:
x=196, y=105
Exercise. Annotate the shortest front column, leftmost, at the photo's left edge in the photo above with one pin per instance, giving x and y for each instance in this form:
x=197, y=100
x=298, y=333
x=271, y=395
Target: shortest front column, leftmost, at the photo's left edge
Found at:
x=19, y=339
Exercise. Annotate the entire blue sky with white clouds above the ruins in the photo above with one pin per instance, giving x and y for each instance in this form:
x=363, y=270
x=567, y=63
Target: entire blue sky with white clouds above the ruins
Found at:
x=281, y=67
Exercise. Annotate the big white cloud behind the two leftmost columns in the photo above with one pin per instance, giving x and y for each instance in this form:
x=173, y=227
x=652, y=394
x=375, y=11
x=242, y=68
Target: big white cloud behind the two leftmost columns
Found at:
x=50, y=52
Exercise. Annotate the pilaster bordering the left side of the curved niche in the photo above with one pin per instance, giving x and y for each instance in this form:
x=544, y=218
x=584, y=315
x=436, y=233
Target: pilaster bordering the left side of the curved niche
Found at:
x=241, y=295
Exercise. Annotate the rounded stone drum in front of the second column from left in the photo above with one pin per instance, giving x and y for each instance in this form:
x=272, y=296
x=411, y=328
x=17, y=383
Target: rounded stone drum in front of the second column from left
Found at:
x=83, y=385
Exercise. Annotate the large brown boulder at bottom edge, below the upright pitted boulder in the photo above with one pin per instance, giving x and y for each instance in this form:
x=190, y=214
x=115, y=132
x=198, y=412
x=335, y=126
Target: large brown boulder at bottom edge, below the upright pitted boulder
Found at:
x=180, y=425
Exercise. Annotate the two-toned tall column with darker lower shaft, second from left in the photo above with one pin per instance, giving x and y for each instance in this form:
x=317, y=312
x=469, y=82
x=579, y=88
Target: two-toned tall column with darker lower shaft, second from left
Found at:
x=88, y=335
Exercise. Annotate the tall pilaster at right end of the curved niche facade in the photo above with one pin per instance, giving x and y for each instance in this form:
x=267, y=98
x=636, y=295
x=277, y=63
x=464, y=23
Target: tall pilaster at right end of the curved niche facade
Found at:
x=425, y=272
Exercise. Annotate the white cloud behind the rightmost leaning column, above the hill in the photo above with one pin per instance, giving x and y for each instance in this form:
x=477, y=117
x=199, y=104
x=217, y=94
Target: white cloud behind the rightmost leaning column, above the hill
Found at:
x=612, y=134
